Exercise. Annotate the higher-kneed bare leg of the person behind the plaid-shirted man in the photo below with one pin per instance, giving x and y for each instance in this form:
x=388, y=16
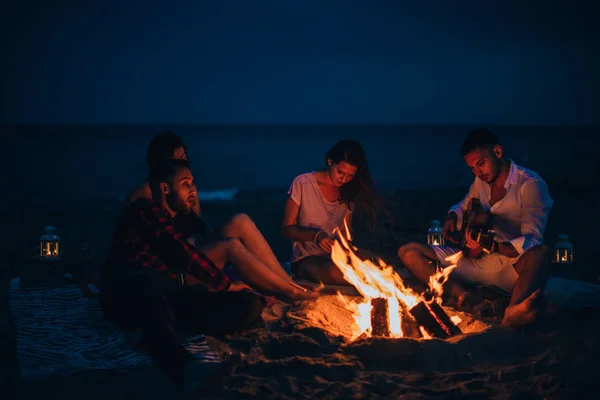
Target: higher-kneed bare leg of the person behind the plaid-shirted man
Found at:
x=241, y=227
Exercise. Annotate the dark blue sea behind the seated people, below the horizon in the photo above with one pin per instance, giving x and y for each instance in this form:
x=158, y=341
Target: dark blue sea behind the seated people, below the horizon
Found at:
x=58, y=163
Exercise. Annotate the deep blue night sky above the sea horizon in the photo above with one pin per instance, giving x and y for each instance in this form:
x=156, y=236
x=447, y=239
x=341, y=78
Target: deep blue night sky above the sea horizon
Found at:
x=309, y=61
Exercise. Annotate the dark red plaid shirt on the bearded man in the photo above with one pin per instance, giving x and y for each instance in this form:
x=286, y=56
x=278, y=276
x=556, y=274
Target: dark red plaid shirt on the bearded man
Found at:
x=146, y=237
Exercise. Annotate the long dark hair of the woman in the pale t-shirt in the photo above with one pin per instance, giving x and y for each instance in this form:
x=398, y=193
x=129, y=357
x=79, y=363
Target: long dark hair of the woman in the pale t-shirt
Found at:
x=358, y=193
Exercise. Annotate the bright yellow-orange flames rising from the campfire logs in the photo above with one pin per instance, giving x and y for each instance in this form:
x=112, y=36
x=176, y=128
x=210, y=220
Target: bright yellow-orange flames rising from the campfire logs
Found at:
x=380, y=282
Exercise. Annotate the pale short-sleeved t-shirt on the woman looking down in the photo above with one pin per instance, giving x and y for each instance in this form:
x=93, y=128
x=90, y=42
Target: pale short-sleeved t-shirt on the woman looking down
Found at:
x=315, y=212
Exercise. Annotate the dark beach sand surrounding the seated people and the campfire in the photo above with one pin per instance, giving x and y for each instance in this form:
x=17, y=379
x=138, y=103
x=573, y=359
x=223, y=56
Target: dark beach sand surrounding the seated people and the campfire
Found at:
x=282, y=359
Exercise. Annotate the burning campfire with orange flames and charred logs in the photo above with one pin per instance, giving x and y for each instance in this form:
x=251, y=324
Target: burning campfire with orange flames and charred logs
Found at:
x=387, y=307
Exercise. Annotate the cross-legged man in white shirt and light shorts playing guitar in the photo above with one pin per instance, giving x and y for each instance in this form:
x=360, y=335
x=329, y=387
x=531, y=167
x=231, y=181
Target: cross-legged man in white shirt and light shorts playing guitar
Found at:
x=519, y=203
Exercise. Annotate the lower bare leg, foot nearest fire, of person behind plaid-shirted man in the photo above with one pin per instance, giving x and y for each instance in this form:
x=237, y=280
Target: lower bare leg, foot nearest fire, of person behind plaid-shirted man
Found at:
x=253, y=270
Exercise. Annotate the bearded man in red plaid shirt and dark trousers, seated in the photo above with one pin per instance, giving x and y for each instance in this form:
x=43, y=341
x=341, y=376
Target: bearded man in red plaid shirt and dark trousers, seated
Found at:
x=140, y=288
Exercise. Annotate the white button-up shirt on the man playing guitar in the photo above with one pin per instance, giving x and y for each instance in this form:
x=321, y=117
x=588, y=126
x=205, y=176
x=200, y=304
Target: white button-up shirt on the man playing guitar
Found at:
x=521, y=216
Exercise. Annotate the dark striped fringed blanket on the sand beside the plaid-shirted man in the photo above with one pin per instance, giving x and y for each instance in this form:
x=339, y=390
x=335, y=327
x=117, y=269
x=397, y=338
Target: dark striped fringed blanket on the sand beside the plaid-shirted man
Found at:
x=61, y=332
